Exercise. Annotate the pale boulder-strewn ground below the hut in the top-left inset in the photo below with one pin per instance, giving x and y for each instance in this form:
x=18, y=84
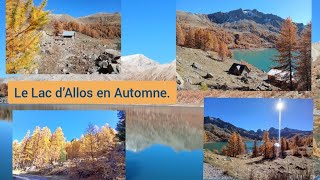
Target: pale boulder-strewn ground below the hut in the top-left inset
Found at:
x=81, y=55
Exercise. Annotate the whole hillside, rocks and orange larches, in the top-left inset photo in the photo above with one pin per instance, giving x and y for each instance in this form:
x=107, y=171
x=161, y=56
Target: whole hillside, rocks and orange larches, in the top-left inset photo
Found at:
x=86, y=52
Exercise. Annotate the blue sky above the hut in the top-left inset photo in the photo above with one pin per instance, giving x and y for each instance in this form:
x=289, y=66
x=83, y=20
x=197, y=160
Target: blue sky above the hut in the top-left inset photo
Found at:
x=78, y=8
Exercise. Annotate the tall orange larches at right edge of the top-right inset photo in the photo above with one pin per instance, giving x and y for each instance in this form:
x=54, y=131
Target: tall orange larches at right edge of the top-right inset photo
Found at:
x=295, y=55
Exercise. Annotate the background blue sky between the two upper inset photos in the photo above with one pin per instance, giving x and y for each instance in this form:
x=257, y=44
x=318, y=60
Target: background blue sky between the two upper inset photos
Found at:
x=149, y=28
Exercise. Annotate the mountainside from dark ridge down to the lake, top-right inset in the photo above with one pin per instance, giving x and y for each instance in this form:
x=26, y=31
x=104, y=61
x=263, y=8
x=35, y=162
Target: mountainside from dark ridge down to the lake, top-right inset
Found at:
x=240, y=28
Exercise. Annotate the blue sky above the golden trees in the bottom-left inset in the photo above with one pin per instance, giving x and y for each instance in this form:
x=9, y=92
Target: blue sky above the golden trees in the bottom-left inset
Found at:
x=72, y=122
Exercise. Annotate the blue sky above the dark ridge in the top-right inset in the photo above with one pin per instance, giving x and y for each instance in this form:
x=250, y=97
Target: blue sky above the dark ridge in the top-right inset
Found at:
x=299, y=10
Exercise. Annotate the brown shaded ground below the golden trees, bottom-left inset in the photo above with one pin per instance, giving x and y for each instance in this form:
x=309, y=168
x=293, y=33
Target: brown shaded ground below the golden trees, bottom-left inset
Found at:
x=111, y=166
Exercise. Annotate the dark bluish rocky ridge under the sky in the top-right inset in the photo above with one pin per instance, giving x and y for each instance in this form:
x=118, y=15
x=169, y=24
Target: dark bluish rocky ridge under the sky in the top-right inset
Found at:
x=272, y=22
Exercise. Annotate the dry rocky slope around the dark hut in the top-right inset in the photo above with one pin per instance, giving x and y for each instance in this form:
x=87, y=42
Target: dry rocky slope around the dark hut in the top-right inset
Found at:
x=197, y=69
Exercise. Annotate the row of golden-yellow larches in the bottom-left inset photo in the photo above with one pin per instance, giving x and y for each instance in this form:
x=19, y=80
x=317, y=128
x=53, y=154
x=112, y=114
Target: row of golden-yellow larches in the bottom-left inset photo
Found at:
x=42, y=148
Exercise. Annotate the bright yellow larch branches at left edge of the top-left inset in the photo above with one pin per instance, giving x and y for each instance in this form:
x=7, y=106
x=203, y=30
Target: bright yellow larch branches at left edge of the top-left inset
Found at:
x=23, y=24
